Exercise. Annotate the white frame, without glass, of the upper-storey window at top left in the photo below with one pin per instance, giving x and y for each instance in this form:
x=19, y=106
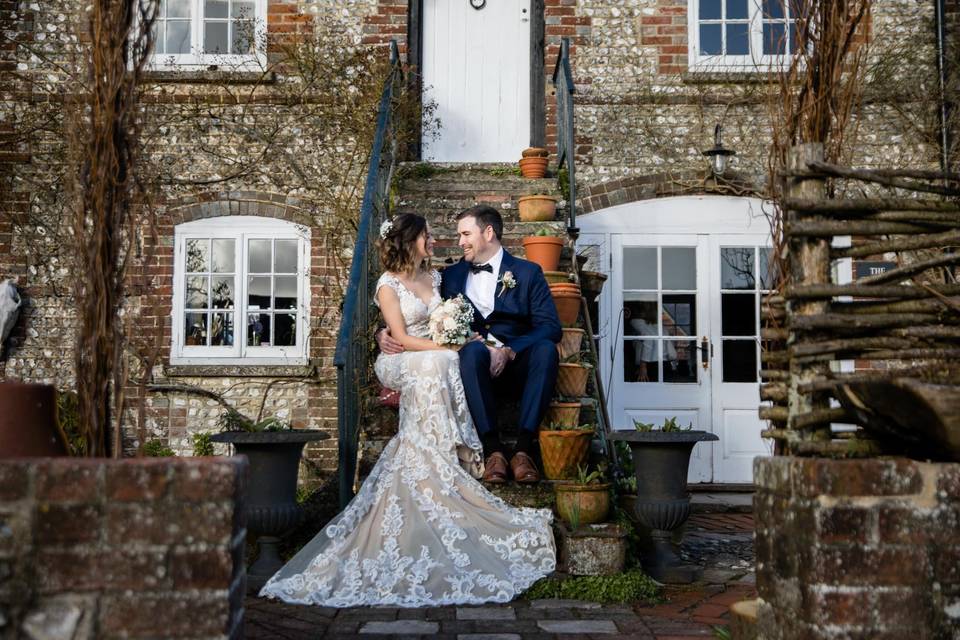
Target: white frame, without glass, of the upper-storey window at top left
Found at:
x=197, y=60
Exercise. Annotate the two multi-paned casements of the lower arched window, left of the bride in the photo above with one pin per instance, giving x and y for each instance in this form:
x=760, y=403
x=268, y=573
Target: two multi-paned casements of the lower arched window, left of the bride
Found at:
x=239, y=293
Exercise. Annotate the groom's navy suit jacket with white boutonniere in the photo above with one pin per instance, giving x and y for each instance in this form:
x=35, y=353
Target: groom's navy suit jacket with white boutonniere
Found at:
x=522, y=315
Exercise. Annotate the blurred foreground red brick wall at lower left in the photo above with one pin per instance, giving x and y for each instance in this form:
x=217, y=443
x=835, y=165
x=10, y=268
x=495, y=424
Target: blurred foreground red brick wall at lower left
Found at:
x=131, y=548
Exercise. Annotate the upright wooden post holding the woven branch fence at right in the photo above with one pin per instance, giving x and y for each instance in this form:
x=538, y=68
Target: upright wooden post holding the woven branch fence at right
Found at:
x=809, y=264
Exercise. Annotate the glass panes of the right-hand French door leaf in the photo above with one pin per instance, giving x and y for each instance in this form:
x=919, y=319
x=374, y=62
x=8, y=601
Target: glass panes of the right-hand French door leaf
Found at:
x=746, y=275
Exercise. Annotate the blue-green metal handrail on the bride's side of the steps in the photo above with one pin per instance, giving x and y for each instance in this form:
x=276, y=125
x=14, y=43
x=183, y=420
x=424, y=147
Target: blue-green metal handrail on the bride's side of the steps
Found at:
x=351, y=355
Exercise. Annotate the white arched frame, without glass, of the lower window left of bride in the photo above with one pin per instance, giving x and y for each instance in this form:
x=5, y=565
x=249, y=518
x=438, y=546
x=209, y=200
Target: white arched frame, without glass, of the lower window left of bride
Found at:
x=241, y=229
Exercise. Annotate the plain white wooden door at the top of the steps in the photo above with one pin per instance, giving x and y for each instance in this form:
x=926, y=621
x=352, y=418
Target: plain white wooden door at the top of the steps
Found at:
x=476, y=69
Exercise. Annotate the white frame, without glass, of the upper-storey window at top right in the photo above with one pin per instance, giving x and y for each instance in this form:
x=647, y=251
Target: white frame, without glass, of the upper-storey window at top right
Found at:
x=755, y=61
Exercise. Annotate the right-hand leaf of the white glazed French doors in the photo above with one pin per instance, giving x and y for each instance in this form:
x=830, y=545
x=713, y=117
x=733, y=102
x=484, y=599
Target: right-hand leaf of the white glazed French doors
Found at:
x=741, y=276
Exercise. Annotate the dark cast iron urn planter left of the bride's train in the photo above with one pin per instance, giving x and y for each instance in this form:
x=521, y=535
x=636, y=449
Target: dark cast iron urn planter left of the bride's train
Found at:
x=272, y=508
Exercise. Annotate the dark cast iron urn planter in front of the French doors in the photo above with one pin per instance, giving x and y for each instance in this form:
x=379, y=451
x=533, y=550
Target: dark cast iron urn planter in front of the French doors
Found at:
x=661, y=461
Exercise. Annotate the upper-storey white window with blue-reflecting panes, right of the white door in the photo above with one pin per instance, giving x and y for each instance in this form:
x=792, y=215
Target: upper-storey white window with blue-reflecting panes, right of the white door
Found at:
x=742, y=33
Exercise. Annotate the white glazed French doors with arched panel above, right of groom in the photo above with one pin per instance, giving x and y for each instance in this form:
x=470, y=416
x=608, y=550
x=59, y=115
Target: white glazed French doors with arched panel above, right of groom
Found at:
x=696, y=354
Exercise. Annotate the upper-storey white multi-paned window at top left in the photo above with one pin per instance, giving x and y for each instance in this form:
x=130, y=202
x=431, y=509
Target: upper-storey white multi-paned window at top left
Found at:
x=207, y=31
